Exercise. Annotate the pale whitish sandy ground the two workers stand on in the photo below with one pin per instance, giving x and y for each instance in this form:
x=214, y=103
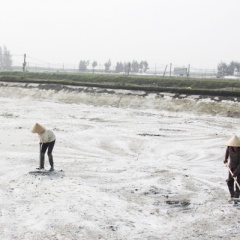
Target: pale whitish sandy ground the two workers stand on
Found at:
x=134, y=167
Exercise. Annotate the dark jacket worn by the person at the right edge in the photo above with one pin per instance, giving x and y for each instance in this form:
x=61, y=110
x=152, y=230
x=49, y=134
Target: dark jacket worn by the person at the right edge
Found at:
x=234, y=163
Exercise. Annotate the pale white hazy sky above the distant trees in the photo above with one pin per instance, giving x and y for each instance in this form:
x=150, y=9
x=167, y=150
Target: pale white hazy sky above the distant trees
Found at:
x=197, y=32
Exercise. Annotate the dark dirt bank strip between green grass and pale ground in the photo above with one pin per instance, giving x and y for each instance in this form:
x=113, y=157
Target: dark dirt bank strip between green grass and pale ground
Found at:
x=179, y=93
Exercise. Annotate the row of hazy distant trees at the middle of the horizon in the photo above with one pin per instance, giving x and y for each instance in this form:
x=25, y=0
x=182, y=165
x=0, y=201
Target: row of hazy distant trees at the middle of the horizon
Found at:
x=121, y=67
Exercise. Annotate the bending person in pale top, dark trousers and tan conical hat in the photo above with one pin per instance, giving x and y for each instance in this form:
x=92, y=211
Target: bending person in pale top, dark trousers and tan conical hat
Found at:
x=47, y=142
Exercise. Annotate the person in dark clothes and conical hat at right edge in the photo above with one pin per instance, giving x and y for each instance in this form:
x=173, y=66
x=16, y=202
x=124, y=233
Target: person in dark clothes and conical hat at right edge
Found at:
x=233, y=153
